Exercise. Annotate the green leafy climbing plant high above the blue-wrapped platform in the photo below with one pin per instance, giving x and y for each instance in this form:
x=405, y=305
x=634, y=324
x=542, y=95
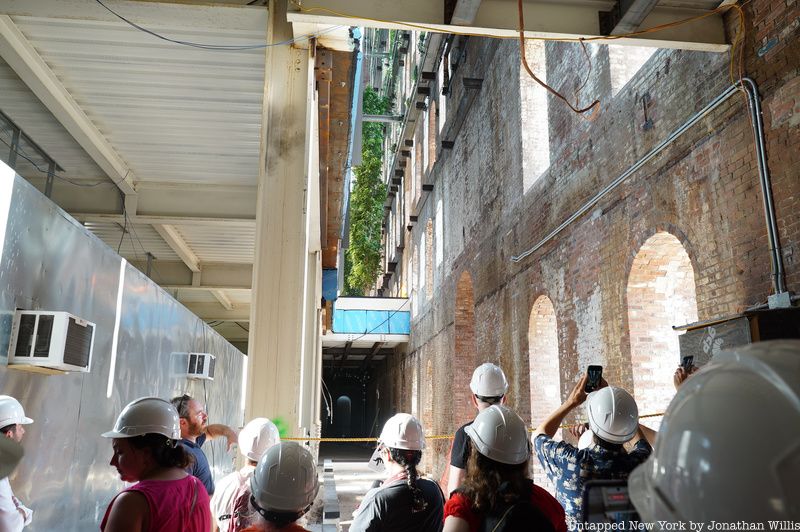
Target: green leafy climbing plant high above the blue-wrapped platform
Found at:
x=363, y=257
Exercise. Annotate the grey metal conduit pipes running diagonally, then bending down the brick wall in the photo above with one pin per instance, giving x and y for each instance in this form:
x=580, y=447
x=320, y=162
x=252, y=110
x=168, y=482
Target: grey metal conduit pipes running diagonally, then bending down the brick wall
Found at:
x=749, y=87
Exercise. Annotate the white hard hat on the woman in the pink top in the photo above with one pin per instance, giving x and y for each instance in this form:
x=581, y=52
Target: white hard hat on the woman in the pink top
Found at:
x=147, y=415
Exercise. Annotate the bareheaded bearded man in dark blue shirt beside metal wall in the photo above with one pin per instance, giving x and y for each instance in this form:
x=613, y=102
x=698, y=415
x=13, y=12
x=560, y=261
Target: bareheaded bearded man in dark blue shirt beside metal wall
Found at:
x=195, y=430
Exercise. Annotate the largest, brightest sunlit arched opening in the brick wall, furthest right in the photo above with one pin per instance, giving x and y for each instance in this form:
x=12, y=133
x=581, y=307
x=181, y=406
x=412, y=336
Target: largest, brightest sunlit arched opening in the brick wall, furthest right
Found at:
x=661, y=293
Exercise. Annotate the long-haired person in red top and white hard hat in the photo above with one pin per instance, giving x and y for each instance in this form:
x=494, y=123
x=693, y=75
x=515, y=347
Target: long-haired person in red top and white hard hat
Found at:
x=497, y=493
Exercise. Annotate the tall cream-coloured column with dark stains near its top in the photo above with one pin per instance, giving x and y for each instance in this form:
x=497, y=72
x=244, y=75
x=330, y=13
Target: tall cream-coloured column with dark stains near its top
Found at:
x=278, y=306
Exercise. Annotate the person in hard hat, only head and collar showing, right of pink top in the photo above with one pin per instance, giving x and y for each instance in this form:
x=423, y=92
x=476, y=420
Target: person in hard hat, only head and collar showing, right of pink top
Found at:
x=283, y=488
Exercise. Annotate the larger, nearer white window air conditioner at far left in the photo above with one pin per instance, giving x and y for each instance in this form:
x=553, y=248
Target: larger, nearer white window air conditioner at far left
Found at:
x=50, y=342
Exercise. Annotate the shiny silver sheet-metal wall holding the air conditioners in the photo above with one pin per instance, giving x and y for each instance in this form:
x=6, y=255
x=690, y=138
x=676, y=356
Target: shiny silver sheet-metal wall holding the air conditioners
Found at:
x=50, y=262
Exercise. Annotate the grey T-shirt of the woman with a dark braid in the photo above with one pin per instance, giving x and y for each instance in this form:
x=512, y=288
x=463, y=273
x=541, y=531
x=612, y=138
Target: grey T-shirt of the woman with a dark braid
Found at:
x=389, y=508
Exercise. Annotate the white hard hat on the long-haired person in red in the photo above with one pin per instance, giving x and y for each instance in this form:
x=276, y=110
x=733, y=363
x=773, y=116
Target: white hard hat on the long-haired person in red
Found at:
x=500, y=434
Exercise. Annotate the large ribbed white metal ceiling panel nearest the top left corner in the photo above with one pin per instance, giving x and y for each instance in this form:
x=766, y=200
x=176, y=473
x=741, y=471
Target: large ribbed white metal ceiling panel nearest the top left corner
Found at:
x=174, y=113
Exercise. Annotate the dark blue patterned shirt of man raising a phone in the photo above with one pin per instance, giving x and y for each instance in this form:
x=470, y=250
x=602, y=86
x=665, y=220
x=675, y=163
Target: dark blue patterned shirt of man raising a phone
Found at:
x=569, y=469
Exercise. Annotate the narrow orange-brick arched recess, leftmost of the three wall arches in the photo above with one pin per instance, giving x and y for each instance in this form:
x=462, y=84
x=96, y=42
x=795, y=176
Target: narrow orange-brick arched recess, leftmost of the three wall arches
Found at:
x=465, y=350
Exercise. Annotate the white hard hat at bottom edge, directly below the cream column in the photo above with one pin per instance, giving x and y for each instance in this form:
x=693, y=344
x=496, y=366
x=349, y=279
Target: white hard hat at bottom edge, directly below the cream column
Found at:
x=285, y=479
